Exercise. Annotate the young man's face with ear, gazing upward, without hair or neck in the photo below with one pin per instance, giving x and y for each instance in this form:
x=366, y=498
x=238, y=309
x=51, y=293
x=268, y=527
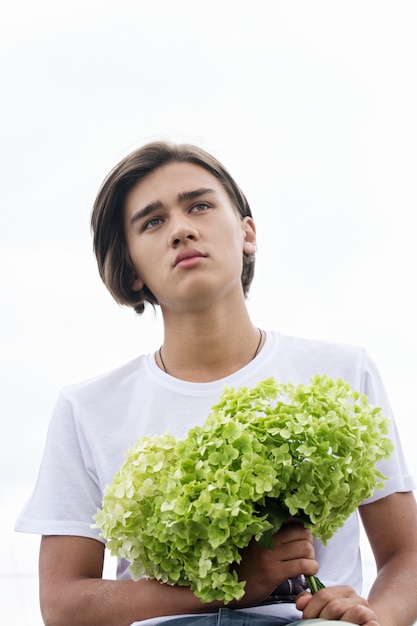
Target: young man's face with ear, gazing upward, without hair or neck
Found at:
x=185, y=238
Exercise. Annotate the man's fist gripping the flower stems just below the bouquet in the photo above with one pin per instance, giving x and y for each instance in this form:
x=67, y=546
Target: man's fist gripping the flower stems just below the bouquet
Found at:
x=264, y=569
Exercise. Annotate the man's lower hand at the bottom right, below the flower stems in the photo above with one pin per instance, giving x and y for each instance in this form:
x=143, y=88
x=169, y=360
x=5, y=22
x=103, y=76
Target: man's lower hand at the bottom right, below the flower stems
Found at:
x=337, y=603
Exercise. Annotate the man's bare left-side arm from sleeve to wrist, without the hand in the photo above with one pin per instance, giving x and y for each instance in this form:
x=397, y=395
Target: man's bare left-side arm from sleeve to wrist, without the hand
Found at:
x=73, y=592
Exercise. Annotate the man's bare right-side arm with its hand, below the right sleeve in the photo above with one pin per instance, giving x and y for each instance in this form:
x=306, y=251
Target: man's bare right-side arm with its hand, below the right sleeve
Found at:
x=391, y=526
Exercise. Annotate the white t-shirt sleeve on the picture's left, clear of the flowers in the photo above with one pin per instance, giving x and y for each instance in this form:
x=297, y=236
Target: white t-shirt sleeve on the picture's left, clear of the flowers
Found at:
x=67, y=493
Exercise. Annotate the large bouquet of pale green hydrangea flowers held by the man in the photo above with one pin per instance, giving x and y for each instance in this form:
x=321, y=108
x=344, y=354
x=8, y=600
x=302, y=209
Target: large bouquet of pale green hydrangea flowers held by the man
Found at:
x=181, y=510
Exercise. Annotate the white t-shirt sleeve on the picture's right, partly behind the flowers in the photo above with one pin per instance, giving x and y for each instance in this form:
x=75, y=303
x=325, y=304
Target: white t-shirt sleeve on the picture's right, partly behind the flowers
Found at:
x=398, y=477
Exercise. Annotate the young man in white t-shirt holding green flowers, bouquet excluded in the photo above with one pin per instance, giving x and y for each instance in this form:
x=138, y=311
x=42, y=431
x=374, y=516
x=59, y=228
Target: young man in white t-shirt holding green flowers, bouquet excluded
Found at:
x=172, y=228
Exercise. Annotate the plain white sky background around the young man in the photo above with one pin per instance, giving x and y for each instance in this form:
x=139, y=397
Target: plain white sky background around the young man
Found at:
x=311, y=105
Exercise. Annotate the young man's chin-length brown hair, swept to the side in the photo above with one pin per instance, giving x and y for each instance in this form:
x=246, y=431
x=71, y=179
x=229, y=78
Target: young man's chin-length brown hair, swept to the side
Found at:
x=110, y=247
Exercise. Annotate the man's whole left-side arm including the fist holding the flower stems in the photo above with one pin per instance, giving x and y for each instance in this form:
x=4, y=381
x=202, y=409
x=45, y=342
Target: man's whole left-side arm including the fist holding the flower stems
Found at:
x=73, y=592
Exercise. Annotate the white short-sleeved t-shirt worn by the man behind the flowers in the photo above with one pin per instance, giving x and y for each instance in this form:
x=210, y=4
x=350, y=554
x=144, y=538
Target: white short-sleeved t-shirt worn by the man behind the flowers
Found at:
x=95, y=422
